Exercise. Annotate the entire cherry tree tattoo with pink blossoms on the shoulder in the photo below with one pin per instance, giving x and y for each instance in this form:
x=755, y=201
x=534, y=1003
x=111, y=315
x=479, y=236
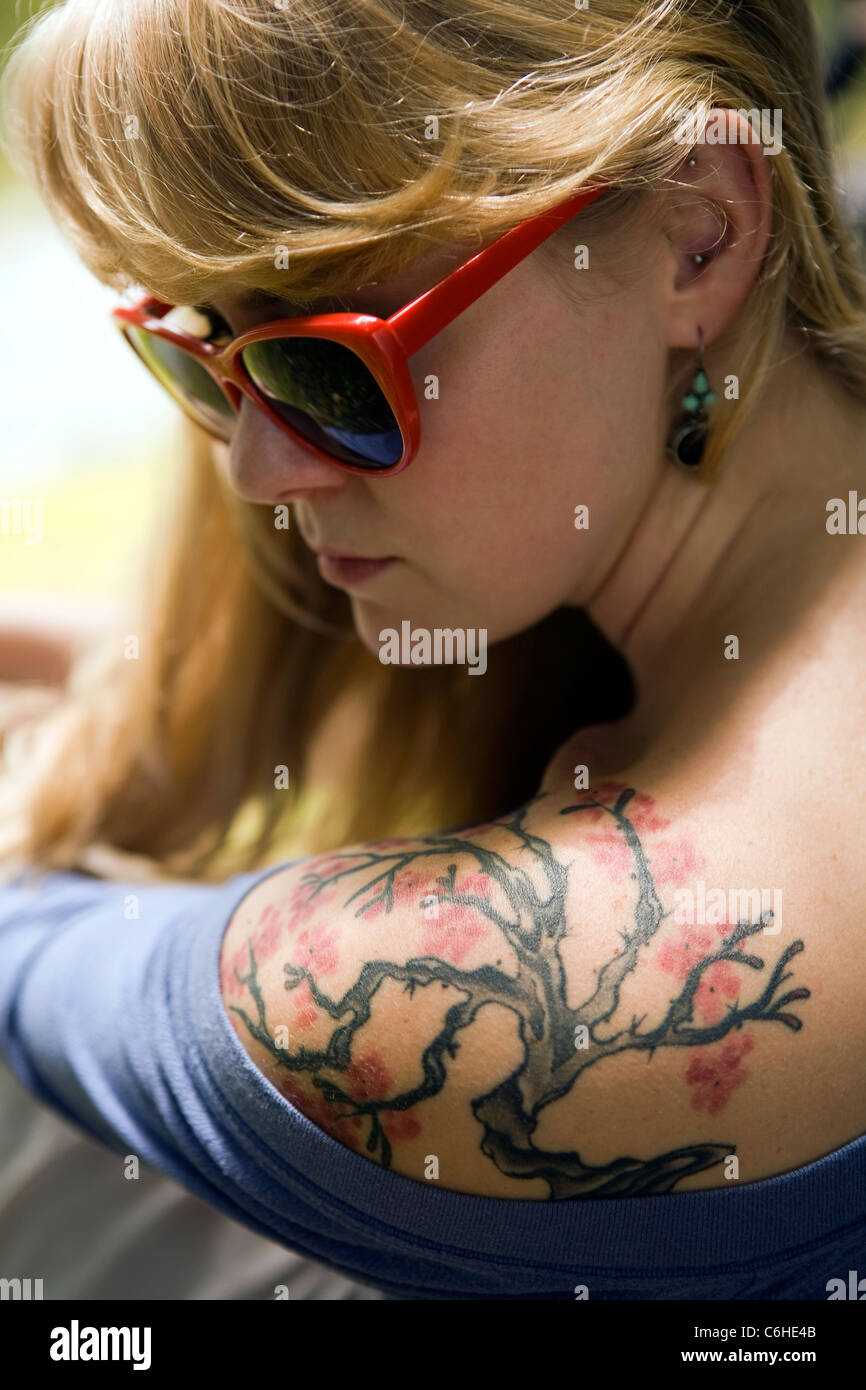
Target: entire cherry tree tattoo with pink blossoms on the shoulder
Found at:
x=704, y=1015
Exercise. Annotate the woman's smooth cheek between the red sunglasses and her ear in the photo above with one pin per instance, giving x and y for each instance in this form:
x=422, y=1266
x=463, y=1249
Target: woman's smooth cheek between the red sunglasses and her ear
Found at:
x=532, y=418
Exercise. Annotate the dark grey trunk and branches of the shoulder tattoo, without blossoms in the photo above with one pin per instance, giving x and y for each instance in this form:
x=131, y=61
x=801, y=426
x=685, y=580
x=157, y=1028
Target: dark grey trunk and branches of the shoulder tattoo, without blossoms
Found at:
x=534, y=928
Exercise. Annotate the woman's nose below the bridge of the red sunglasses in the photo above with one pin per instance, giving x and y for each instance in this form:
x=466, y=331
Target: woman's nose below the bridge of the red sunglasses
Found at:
x=266, y=465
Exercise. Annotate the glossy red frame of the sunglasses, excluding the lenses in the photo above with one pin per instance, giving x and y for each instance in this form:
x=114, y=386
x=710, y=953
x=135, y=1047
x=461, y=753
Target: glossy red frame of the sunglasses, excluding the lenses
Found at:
x=384, y=345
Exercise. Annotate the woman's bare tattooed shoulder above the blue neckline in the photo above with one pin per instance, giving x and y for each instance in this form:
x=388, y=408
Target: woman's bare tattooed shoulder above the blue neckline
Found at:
x=591, y=997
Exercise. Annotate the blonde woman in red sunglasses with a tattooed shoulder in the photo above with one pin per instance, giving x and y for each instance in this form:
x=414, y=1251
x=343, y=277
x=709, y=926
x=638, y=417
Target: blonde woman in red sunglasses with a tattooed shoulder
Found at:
x=605, y=1035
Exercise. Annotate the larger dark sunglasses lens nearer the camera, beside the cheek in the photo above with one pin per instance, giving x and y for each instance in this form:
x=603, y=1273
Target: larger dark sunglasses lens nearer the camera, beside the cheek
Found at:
x=330, y=397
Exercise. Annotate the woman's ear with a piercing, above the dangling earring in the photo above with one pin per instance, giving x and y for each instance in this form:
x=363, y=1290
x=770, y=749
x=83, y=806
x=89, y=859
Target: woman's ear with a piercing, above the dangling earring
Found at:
x=721, y=212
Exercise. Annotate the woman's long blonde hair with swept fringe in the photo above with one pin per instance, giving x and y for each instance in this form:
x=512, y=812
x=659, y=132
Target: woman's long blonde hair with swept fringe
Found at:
x=190, y=145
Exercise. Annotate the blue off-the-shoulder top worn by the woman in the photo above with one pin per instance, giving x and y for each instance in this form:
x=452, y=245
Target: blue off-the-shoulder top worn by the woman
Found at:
x=117, y=1022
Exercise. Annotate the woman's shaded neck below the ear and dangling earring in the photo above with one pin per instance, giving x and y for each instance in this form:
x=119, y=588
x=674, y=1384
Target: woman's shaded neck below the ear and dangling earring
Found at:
x=746, y=557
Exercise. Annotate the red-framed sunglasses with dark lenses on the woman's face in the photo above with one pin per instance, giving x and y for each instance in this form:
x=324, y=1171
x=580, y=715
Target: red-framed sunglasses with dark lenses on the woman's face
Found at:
x=338, y=384
